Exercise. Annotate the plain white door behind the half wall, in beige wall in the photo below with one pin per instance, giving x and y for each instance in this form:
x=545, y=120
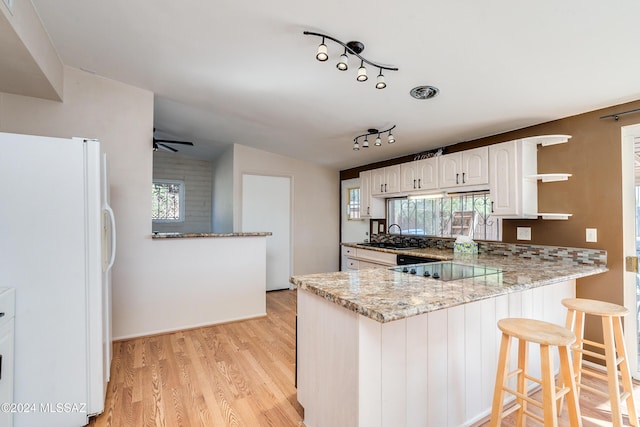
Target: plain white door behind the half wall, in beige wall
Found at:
x=266, y=206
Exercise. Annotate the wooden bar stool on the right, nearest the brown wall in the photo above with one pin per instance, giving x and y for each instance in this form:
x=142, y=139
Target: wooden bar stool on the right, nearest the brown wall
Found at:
x=615, y=353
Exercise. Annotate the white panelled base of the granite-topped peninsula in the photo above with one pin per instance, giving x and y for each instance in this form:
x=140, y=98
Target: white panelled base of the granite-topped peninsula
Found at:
x=434, y=369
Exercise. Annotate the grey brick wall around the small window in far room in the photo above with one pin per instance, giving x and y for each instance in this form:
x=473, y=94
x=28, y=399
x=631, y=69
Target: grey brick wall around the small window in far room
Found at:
x=197, y=177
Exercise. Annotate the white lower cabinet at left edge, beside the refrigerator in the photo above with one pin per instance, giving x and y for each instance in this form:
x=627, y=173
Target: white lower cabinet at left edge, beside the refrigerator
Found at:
x=7, y=309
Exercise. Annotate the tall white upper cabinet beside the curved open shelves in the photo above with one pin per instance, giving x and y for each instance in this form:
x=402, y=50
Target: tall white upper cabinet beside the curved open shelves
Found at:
x=513, y=192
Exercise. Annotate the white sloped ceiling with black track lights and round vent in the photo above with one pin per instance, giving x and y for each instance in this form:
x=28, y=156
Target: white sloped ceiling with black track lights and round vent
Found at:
x=237, y=71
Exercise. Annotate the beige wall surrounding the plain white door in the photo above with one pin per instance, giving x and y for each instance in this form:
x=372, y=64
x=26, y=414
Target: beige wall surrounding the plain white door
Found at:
x=315, y=201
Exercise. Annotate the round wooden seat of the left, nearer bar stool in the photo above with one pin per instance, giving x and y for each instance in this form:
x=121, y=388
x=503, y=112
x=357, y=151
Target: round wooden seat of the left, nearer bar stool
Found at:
x=537, y=331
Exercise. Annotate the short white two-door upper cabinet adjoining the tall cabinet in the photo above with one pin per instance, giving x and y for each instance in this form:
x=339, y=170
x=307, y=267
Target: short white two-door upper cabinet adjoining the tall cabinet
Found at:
x=468, y=168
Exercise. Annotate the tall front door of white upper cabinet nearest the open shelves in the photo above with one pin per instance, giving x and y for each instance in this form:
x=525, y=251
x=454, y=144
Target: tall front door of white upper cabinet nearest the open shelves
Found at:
x=503, y=178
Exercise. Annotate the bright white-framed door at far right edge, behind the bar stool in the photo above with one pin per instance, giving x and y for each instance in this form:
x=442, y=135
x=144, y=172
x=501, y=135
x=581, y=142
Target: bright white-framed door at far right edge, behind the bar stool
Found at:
x=631, y=240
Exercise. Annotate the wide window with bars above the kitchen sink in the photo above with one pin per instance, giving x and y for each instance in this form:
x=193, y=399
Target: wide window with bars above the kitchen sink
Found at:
x=467, y=214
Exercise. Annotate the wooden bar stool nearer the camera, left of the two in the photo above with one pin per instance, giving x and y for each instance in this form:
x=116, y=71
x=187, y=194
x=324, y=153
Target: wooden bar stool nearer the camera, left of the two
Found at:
x=546, y=335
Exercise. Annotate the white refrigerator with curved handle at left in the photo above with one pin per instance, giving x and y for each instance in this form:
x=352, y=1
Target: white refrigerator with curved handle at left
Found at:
x=57, y=246
